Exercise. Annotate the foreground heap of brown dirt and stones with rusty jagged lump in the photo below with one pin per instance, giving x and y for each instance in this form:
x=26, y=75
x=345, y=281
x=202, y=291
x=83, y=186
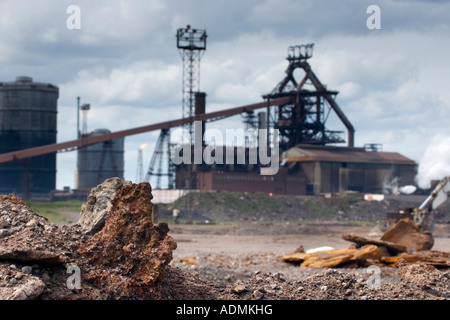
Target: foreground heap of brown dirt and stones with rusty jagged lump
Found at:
x=67, y=263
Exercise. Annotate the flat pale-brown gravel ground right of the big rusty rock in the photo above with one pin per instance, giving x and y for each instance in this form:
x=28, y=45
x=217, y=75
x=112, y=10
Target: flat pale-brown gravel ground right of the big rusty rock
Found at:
x=240, y=262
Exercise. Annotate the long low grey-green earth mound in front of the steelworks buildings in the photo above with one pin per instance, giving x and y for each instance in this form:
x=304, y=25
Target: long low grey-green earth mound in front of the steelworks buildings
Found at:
x=238, y=206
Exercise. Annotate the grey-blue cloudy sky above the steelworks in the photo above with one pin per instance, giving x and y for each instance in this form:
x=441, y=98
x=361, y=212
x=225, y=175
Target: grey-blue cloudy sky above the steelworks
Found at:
x=393, y=81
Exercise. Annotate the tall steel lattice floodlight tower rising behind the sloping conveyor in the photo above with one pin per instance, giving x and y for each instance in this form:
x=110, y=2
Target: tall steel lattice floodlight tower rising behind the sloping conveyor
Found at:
x=191, y=44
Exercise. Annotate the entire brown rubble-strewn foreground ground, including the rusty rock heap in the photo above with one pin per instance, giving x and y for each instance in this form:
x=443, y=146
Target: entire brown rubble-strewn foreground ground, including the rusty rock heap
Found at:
x=115, y=251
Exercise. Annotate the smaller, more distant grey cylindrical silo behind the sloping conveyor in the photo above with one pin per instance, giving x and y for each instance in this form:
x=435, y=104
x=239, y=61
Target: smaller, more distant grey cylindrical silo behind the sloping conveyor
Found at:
x=100, y=161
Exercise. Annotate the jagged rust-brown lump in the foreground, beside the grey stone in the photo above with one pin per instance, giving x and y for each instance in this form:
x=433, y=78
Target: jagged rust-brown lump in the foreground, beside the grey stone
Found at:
x=130, y=252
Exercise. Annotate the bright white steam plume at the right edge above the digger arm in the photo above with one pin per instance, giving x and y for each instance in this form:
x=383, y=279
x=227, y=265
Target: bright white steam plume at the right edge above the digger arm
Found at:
x=435, y=162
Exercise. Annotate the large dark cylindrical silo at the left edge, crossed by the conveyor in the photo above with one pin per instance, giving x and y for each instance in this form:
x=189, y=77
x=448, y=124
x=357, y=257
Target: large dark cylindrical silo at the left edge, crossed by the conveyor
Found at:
x=28, y=118
